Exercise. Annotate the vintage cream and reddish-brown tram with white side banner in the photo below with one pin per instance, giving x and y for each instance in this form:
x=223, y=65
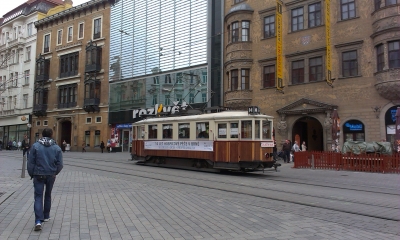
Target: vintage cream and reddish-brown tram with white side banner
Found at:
x=231, y=140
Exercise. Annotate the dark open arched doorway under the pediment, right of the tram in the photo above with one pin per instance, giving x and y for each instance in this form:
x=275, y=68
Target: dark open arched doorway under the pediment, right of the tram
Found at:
x=310, y=130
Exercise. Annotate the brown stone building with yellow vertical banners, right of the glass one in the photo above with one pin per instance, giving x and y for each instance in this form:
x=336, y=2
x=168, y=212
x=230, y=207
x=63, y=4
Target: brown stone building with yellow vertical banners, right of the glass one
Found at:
x=364, y=57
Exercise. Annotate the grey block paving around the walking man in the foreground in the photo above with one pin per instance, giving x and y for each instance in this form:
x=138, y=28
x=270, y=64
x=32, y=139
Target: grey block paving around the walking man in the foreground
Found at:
x=88, y=205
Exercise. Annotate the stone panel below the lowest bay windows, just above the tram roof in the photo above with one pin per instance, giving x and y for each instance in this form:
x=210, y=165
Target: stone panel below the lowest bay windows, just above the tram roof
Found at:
x=238, y=99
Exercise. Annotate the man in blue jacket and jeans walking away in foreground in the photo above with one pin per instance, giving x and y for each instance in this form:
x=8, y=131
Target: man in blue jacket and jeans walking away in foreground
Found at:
x=44, y=163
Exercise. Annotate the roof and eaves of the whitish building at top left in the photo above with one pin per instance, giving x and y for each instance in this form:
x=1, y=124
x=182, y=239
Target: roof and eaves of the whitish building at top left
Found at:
x=29, y=7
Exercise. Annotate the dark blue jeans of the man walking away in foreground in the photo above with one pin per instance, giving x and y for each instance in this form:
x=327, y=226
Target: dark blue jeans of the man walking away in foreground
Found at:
x=42, y=209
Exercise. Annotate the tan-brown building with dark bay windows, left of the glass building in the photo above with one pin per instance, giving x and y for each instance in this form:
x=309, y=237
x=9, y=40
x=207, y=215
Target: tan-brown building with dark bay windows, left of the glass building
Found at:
x=71, y=80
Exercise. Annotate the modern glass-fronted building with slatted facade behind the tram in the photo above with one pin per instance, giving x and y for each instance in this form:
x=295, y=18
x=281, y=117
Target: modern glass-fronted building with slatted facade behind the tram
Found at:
x=164, y=51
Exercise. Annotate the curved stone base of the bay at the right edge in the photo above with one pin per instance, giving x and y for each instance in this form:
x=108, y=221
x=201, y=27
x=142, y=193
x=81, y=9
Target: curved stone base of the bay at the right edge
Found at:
x=388, y=84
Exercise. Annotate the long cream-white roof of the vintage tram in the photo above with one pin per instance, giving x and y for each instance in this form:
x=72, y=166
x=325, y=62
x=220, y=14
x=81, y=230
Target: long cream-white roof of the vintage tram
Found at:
x=206, y=116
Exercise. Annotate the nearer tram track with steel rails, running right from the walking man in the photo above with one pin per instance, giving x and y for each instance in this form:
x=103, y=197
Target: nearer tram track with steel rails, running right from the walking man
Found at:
x=254, y=191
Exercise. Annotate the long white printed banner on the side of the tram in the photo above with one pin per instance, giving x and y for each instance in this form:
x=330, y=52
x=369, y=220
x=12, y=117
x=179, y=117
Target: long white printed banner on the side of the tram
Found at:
x=206, y=146
